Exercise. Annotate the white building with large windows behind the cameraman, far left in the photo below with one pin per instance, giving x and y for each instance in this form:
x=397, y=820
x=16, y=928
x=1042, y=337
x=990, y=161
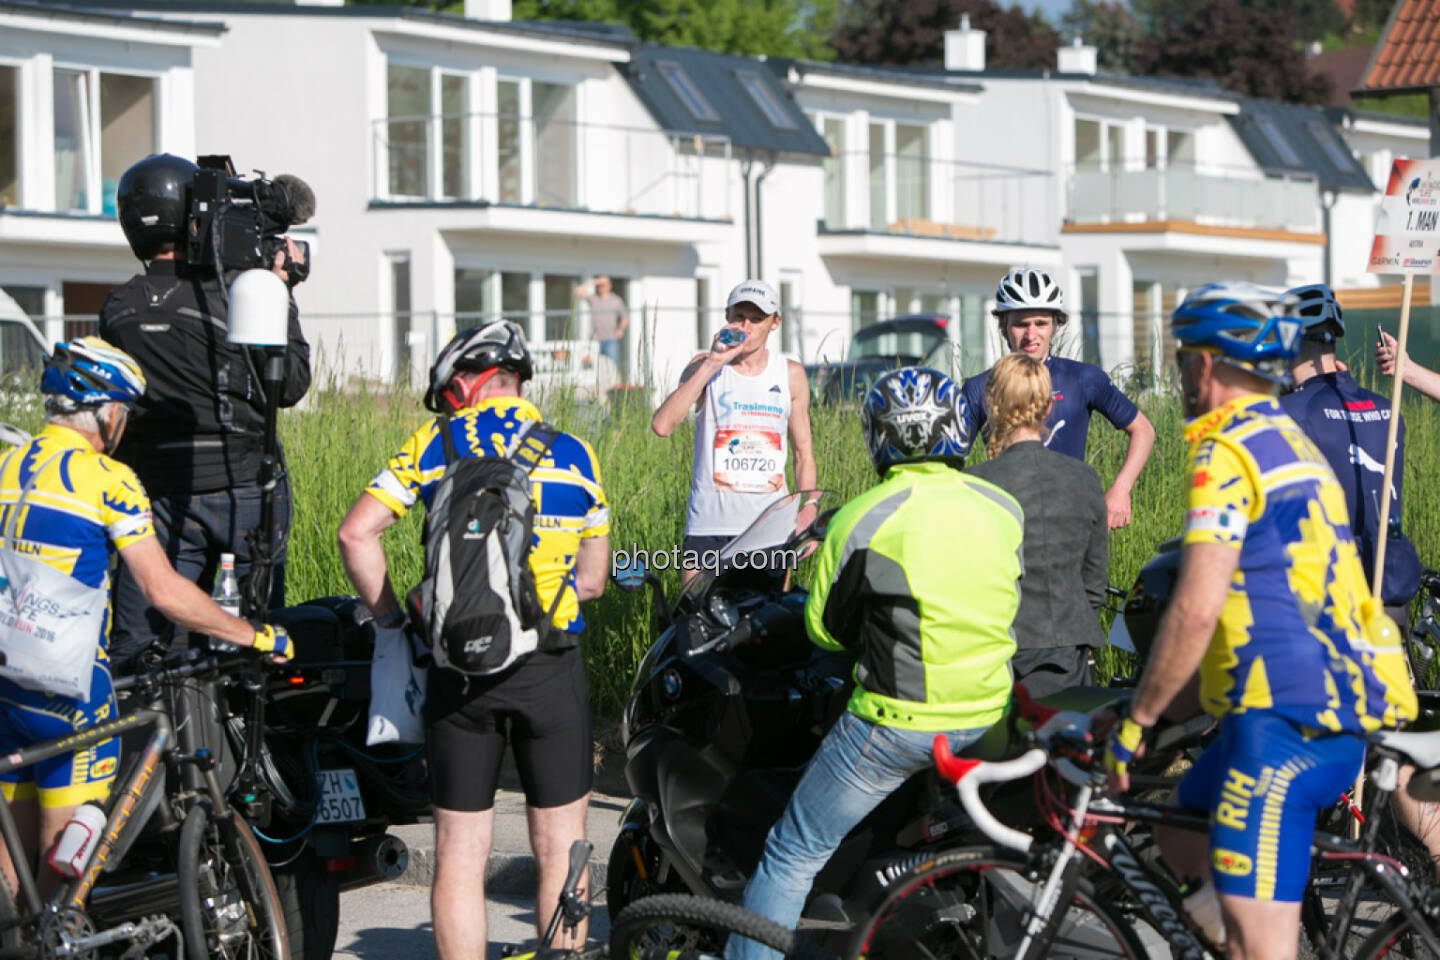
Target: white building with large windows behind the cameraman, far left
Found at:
x=83, y=96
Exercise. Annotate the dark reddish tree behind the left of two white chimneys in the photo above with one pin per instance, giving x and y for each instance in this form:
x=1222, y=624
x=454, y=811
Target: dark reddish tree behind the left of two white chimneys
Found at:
x=912, y=32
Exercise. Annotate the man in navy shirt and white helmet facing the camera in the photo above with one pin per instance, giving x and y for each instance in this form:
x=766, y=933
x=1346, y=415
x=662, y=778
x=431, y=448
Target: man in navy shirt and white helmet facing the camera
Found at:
x=1030, y=307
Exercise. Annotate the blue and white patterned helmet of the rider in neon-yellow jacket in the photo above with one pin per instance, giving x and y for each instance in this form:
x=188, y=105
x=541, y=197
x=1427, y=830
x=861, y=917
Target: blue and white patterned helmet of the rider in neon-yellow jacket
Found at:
x=914, y=414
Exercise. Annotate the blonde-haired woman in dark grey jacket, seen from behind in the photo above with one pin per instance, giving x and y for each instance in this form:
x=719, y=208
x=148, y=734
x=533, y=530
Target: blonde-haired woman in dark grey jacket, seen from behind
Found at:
x=1065, y=529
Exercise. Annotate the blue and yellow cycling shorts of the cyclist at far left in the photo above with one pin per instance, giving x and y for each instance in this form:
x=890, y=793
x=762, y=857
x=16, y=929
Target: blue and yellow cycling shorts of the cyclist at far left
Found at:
x=30, y=717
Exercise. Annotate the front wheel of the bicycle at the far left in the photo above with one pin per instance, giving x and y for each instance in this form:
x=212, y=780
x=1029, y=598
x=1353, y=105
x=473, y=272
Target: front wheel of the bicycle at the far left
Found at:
x=228, y=902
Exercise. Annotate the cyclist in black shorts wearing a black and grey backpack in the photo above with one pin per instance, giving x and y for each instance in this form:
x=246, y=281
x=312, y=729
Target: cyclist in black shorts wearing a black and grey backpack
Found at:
x=539, y=705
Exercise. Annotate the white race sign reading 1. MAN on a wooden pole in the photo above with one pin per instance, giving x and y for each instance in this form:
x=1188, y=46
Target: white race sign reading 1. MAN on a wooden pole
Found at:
x=1408, y=227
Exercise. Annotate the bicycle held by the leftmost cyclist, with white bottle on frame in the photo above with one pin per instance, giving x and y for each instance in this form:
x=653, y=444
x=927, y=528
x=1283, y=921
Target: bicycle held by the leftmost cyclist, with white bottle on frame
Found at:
x=208, y=869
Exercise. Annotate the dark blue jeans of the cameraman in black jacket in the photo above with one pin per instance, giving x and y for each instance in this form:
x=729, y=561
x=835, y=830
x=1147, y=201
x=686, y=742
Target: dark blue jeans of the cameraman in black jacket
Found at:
x=195, y=530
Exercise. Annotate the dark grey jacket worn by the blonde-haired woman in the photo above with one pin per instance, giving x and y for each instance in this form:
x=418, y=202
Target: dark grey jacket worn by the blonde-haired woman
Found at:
x=1066, y=549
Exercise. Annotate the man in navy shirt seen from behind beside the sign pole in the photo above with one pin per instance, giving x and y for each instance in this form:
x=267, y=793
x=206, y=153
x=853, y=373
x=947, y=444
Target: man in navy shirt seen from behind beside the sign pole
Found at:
x=1351, y=427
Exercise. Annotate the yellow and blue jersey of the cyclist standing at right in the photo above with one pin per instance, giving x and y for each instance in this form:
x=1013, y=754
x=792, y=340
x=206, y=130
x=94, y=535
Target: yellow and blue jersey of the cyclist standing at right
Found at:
x=1297, y=633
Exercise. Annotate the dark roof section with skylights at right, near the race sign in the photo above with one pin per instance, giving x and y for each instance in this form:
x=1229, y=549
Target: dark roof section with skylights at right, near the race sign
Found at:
x=1295, y=139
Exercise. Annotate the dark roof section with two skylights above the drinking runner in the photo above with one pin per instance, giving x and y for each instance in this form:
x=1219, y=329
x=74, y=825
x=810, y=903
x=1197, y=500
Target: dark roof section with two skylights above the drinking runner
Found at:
x=695, y=91
